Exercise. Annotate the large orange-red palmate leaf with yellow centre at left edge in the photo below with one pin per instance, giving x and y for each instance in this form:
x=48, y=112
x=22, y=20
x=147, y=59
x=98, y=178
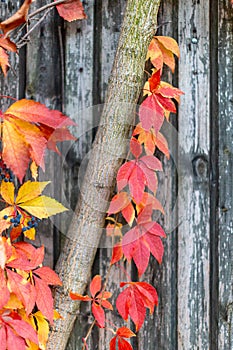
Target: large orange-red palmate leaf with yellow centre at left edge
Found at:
x=28, y=128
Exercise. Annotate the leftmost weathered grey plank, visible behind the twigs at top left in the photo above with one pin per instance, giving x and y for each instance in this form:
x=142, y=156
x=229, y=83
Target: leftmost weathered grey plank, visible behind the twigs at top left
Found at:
x=10, y=85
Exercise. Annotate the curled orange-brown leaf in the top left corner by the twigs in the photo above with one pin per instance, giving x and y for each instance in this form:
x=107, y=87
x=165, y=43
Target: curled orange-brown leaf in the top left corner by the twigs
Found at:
x=17, y=19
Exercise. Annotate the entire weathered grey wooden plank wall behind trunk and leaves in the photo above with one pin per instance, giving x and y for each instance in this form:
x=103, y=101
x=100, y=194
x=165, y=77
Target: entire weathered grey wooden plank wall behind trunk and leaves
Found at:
x=67, y=66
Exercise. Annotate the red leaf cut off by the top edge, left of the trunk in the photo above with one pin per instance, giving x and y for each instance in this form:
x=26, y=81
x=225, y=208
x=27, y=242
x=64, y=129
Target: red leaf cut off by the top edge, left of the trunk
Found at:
x=71, y=10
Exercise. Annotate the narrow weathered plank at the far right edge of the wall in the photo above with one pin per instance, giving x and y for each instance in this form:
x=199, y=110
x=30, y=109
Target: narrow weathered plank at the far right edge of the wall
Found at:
x=225, y=99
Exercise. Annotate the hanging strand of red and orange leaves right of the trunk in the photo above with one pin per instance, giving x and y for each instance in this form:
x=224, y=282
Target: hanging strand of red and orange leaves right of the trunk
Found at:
x=135, y=202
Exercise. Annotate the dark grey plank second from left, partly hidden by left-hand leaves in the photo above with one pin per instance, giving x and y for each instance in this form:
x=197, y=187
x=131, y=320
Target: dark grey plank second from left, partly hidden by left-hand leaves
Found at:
x=43, y=84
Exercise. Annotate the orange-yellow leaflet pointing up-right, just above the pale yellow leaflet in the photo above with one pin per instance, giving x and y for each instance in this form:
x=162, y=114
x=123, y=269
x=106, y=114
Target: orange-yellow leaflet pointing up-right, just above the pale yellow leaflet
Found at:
x=30, y=190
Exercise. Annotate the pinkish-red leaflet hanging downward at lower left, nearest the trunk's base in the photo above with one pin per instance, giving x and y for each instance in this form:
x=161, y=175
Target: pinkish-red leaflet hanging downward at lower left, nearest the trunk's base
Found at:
x=44, y=300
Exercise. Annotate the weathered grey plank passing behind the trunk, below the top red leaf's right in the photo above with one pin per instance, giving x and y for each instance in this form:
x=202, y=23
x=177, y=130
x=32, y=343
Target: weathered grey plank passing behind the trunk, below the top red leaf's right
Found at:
x=78, y=102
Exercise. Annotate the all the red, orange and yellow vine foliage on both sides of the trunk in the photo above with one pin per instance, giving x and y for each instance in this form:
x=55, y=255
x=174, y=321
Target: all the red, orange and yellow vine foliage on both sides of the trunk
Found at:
x=28, y=128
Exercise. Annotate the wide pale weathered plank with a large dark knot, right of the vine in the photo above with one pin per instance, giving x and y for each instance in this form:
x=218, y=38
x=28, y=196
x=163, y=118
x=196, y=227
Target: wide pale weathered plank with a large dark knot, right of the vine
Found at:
x=193, y=232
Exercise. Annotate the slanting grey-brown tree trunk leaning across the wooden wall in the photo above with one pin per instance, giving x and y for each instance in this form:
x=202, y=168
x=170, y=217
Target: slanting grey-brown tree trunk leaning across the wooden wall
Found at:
x=75, y=262
